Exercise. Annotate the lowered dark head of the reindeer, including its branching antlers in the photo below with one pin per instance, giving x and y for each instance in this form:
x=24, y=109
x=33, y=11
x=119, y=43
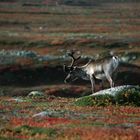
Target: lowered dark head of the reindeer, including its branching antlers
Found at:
x=71, y=70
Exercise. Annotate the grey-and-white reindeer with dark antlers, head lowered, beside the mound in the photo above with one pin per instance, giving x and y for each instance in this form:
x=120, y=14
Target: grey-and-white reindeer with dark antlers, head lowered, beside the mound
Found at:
x=92, y=70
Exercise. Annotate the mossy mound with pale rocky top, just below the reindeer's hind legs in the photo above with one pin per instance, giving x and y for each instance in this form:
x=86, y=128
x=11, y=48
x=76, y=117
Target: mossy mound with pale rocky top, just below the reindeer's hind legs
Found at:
x=123, y=95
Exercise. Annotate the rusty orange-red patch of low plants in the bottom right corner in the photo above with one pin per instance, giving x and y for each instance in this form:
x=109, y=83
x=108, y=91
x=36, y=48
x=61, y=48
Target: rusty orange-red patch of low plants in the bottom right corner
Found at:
x=103, y=134
